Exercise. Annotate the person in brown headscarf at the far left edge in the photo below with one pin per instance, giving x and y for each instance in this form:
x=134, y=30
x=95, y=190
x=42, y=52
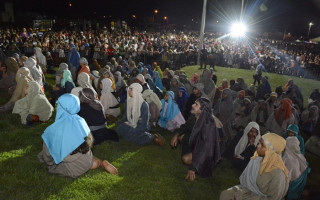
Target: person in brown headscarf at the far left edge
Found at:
x=9, y=79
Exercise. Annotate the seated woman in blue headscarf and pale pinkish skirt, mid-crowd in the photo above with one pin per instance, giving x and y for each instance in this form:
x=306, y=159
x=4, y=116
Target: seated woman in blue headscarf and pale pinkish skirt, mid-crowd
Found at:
x=170, y=116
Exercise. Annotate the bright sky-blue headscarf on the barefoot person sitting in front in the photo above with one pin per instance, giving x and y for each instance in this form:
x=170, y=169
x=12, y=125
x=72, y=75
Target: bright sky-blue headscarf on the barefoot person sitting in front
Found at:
x=68, y=131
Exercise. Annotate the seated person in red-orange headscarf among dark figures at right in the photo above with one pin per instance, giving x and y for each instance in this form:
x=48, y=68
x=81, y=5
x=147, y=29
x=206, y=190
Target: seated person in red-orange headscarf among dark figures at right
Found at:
x=283, y=116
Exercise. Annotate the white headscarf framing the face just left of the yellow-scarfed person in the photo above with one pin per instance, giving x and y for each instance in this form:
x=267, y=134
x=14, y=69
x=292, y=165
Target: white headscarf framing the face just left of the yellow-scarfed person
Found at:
x=243, y=142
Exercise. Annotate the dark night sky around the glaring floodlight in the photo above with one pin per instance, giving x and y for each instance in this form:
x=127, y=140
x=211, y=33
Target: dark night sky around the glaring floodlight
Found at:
x=292, y=15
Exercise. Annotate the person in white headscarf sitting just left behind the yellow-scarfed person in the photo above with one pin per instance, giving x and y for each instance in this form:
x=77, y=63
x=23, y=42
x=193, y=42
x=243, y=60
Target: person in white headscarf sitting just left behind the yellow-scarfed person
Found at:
x=246, y=146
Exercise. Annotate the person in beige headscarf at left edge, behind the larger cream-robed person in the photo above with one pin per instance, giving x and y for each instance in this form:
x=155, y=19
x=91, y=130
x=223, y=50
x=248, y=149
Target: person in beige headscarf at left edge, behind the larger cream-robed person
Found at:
x=23, y=76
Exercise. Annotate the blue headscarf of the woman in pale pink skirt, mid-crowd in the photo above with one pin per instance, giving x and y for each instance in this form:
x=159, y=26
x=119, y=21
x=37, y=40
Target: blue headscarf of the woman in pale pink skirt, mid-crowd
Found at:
x=171, y=112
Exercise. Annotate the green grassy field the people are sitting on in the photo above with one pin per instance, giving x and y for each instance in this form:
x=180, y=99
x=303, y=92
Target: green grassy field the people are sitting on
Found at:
x=146, y=172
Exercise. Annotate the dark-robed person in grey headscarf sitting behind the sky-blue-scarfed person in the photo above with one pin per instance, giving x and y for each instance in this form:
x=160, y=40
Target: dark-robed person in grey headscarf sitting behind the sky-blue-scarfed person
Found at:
x=92, y=111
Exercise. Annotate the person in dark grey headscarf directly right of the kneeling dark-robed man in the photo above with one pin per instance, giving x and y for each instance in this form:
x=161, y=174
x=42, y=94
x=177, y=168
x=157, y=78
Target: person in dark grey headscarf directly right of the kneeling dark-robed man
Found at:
x=225, y=112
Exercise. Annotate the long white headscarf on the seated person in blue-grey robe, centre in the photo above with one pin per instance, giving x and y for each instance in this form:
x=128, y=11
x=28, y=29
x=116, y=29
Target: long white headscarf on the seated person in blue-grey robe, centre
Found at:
x=134, y=104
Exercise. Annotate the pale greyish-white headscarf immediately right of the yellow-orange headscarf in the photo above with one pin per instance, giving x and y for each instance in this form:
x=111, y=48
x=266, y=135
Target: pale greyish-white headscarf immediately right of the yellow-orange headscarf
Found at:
x=293, y=159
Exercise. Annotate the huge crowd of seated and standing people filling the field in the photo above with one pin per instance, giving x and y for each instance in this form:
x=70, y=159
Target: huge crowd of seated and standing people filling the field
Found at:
x=255, y=127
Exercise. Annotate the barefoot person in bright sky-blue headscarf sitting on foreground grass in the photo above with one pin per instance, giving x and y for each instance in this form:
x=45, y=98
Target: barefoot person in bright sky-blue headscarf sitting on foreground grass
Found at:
x=67, y=142
